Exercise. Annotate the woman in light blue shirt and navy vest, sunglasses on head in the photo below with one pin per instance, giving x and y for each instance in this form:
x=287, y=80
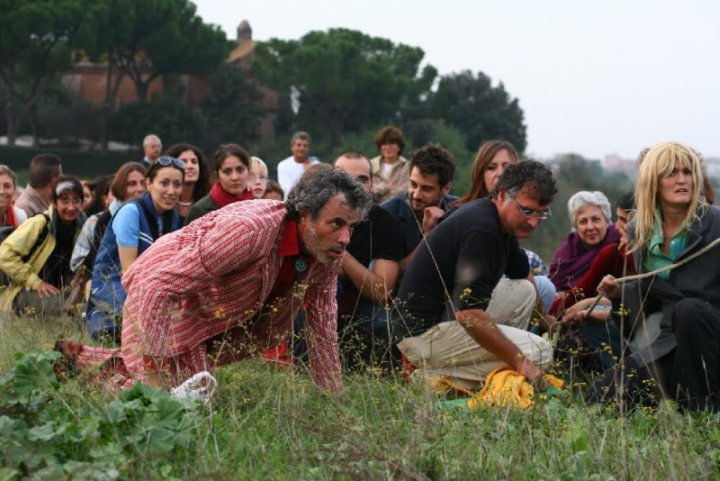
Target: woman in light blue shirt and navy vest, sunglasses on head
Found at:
x=133, y=229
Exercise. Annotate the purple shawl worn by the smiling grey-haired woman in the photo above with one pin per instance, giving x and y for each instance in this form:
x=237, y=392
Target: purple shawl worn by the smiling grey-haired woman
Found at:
x=573, y=258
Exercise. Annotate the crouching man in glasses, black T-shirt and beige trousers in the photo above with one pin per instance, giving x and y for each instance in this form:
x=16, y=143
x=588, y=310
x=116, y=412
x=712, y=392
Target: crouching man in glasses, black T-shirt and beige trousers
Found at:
x=458, y=316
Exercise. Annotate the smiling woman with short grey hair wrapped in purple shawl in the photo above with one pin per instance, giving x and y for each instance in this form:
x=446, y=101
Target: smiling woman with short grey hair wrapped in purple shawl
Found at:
x=590, y=217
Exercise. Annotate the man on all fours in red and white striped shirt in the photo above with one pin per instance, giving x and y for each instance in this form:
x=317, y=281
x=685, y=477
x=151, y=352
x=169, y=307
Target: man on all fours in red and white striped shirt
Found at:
x=227, y=287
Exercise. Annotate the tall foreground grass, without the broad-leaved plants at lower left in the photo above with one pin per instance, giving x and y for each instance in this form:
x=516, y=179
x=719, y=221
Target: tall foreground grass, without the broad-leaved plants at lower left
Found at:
x=269, y=424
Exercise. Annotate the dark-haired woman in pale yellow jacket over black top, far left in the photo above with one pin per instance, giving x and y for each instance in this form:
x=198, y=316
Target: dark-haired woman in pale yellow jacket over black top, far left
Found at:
x=35, y=258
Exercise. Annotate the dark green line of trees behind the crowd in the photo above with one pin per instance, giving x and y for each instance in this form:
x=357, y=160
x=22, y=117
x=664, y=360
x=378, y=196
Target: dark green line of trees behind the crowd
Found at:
x=338, y=84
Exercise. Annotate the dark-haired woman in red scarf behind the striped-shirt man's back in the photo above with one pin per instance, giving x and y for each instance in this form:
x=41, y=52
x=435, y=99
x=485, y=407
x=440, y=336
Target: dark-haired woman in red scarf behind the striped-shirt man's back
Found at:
x=232, y=167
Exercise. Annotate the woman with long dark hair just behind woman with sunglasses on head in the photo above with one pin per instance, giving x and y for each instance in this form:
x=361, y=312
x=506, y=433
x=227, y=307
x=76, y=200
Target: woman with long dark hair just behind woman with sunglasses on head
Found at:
x=197, y=175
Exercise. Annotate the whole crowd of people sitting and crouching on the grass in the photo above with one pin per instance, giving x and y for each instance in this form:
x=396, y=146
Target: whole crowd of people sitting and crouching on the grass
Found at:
x=176, y=266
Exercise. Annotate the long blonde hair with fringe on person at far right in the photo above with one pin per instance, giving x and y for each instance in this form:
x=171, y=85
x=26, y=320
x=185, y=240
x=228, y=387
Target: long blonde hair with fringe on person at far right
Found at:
x=658, y=162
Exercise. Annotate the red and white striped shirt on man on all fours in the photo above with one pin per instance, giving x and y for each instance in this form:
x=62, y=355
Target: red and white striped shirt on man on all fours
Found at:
x=215, y=274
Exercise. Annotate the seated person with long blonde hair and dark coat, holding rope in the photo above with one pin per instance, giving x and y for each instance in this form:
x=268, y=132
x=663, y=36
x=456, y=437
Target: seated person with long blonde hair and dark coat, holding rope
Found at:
x=670, y=241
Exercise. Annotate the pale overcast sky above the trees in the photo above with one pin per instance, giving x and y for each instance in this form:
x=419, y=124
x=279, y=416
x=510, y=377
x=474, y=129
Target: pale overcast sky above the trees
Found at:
x=594, y=78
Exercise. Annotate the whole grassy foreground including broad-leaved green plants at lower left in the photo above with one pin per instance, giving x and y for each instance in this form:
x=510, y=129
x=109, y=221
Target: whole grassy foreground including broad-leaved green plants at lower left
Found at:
x=272, y=425
